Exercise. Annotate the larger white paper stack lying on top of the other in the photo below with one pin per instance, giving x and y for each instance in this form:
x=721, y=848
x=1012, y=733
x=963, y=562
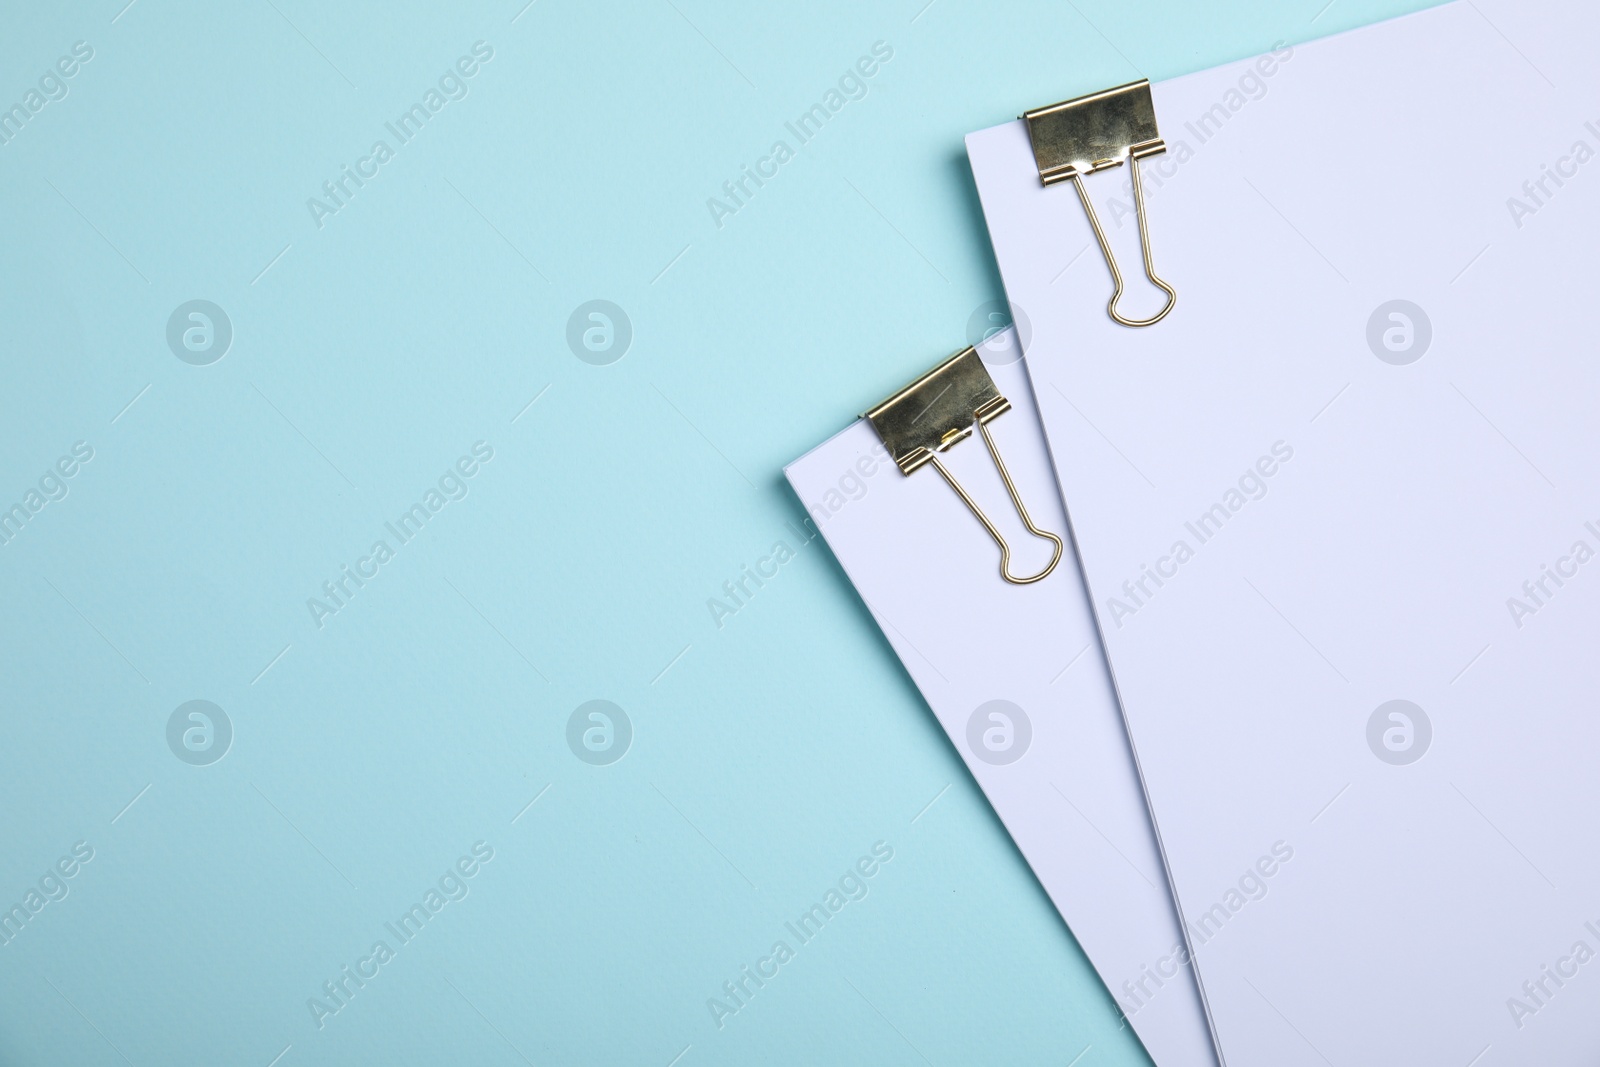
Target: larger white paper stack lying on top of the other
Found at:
x=1358, y=465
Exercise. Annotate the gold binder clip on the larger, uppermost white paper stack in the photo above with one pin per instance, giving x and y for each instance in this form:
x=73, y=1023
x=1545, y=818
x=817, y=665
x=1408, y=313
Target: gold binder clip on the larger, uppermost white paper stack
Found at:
x=1094, y=134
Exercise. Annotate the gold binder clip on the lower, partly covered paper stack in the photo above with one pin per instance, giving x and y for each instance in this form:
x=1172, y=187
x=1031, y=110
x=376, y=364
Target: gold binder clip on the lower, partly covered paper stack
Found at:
x=937, y=412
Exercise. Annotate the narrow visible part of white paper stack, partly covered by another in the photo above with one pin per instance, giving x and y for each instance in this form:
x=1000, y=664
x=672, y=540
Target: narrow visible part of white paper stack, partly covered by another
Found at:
x=1052, y=757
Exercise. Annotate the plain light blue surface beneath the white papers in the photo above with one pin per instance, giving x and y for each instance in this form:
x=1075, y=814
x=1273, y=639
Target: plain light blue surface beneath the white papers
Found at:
x=769, y=754
